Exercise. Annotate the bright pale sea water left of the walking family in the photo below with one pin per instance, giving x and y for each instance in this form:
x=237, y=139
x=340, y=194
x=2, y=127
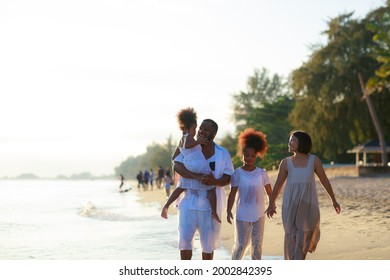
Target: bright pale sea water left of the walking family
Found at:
x=84, y=220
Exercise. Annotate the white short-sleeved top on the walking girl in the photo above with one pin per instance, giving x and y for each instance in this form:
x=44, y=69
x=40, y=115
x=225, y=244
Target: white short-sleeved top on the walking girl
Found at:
x=251, y=193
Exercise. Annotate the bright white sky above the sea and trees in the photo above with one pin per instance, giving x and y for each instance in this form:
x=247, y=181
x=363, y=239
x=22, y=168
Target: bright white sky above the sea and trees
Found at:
x=85, y=84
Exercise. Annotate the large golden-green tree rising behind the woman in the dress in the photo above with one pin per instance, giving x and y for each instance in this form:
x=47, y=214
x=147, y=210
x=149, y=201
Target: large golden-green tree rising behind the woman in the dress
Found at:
x=327, y=92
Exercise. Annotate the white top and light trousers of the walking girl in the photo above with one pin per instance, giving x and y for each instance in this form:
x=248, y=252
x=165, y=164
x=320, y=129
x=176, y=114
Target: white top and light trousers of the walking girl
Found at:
x=249, y=211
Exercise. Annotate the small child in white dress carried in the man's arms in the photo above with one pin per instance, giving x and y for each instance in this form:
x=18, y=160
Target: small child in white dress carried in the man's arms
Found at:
x=194, y=160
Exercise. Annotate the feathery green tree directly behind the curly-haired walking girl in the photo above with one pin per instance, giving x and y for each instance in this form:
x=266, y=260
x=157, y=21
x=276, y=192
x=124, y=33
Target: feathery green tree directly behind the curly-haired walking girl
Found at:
x=265, y=106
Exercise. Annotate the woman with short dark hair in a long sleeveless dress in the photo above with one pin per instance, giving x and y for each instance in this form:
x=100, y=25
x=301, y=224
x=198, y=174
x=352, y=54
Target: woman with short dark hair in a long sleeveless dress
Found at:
x=300, y=209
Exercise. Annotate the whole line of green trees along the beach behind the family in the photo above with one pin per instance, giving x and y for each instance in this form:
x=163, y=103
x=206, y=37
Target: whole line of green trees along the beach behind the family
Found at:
x=323, y=96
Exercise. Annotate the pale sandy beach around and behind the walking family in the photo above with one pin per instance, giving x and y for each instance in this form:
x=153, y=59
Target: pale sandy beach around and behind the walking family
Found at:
x=359, y=232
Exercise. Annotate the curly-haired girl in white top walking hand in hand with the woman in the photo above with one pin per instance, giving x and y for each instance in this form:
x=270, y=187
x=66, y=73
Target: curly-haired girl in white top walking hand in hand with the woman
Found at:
x=251, y=183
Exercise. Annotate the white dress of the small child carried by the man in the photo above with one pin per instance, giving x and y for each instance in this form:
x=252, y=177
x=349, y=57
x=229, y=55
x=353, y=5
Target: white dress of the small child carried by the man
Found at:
x=194, y=161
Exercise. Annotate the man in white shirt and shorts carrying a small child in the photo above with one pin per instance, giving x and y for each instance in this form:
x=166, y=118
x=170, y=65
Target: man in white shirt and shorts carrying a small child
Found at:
x=194, y=208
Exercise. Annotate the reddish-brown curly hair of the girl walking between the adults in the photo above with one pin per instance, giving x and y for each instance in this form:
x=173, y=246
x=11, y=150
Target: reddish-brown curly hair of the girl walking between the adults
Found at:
x=252, y=139
